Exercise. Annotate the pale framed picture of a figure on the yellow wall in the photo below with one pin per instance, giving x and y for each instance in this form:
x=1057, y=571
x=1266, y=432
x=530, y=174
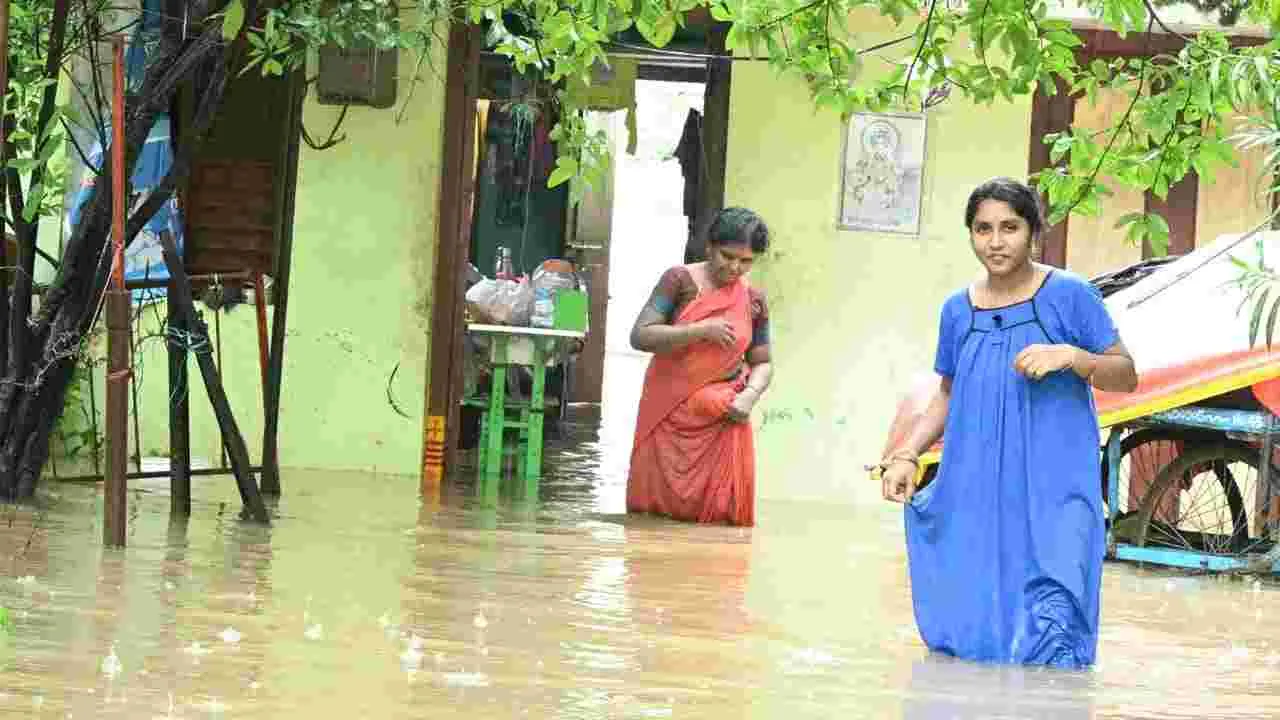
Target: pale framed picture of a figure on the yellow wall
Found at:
x=883, y=174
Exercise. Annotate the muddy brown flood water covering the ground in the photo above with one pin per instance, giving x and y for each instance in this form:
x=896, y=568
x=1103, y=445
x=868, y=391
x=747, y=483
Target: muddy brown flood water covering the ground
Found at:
x=362, y=601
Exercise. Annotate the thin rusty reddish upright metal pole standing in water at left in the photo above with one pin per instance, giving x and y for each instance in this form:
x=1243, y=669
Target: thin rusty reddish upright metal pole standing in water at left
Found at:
x=116, y=511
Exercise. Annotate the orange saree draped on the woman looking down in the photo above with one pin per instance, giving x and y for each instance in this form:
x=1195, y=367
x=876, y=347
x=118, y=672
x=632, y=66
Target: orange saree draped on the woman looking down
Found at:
x=689, y=461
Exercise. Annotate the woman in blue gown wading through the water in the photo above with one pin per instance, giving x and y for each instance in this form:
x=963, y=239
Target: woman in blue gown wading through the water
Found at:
x=1005, y=546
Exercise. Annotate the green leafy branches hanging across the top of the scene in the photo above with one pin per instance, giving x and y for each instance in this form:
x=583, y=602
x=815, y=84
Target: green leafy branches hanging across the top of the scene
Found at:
x=1181, y=117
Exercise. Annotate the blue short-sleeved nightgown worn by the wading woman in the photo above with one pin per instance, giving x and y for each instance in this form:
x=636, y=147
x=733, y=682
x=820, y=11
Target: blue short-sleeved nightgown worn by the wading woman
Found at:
x=1007, y=545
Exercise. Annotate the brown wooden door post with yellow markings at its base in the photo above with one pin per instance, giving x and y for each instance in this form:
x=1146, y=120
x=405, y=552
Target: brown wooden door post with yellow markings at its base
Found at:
x=452, y=240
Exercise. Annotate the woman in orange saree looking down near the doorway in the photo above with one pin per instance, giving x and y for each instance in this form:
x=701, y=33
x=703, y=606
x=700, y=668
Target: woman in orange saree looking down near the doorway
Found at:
x=694, y=455
